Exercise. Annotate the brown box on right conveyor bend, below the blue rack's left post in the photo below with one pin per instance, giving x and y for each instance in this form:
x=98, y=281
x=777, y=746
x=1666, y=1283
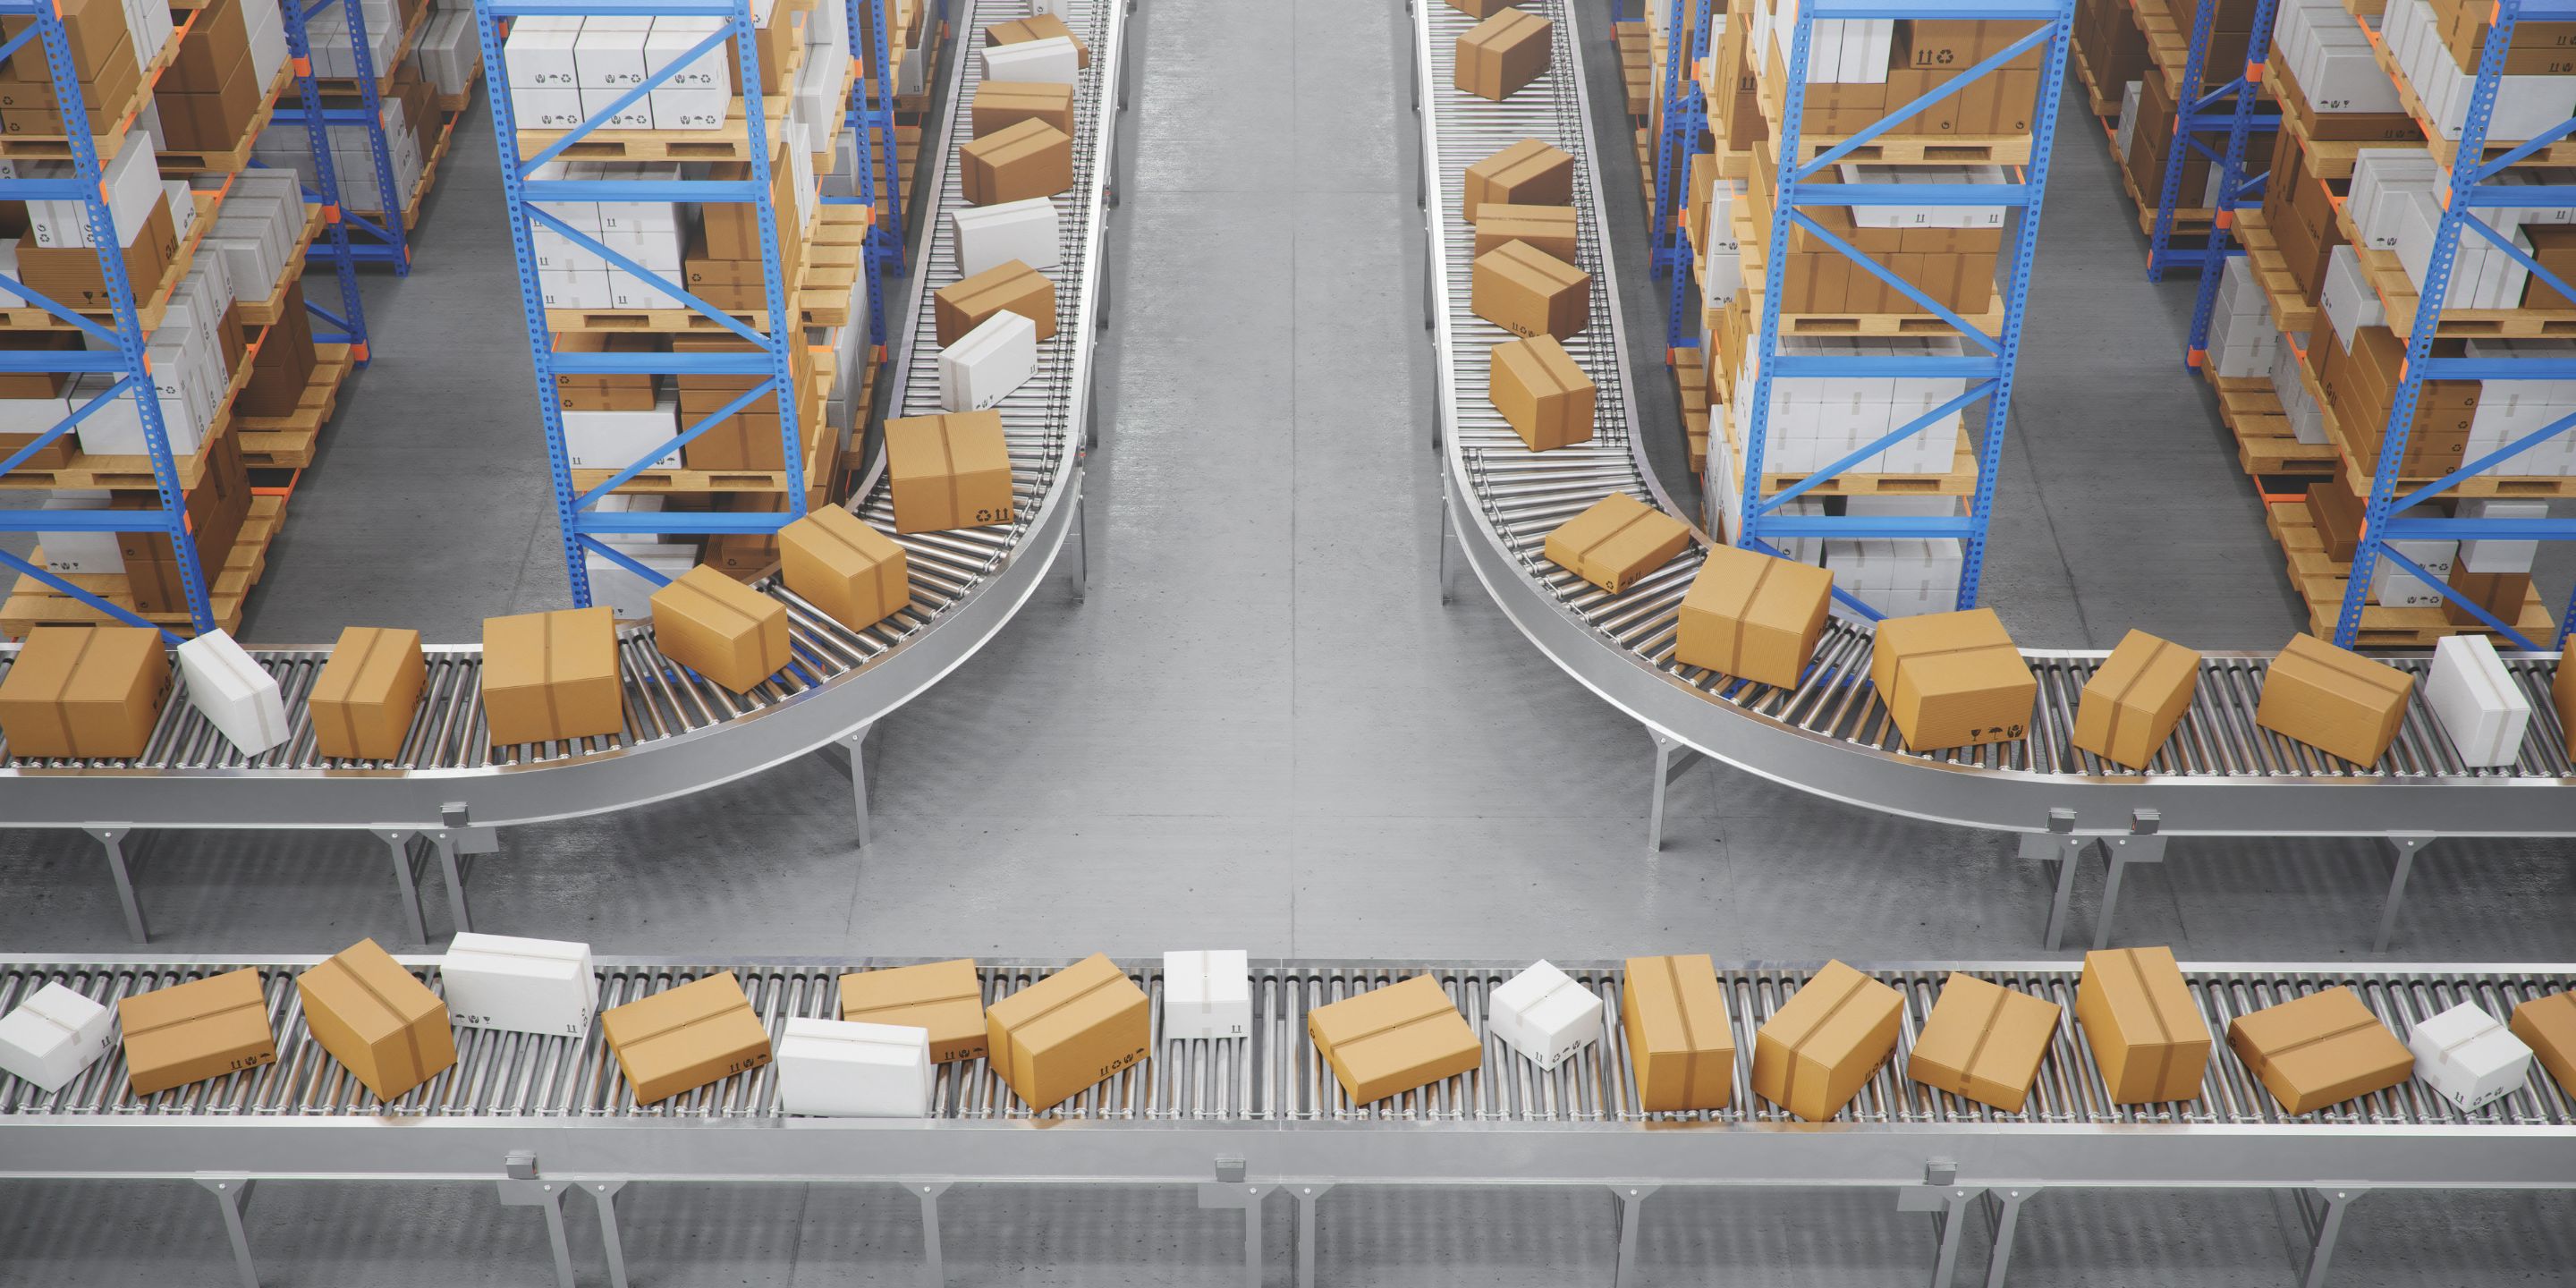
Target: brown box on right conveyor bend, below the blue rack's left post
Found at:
x=1753, y=617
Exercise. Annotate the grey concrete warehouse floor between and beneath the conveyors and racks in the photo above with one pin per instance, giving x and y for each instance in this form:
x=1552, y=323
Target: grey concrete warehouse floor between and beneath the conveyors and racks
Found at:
x=1264, y=730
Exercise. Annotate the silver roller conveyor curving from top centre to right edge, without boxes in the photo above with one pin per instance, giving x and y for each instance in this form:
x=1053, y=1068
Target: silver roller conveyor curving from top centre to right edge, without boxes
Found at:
x=1833, y=735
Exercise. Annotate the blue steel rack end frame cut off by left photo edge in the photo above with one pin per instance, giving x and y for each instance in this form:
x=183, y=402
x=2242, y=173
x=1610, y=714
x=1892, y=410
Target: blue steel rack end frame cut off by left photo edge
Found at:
x=125, y=331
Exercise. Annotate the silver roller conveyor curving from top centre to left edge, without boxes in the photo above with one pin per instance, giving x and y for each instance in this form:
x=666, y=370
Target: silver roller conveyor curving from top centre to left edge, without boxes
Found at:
x=681, y=733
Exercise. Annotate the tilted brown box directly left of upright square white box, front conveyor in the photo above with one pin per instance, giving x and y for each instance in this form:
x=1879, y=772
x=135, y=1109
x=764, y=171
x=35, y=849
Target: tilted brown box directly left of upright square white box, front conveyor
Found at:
x=1070, y=1032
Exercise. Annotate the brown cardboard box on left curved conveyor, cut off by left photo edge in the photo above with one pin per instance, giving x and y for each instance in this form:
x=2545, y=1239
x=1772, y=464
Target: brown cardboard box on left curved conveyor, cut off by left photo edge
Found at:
x=86, y=694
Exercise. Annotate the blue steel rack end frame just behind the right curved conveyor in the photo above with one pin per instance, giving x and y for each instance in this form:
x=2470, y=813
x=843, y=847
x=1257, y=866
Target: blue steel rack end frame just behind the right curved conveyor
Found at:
x=1987, y=375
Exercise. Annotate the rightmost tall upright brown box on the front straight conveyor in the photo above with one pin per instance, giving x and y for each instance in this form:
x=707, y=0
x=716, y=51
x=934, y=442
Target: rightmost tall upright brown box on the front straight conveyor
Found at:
x=2142, y=1024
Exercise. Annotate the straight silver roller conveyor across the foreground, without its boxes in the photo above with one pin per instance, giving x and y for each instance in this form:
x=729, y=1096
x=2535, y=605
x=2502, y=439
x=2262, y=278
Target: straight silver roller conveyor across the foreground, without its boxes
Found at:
x=1271, y=1099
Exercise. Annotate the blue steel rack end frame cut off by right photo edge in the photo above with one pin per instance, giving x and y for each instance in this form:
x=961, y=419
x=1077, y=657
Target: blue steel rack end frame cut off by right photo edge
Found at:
x=2472, y=189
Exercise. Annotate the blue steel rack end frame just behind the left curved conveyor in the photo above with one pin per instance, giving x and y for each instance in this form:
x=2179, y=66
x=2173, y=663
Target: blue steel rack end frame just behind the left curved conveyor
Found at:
x=772, y=349
